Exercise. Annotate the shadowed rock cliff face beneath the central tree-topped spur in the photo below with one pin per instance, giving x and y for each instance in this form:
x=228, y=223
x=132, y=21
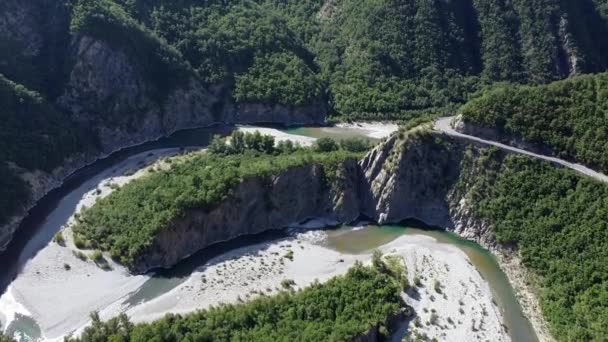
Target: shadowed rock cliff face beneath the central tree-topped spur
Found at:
x=256, y=205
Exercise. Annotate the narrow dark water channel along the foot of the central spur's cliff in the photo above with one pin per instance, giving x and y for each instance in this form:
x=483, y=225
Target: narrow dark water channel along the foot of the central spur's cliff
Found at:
x=165, y=280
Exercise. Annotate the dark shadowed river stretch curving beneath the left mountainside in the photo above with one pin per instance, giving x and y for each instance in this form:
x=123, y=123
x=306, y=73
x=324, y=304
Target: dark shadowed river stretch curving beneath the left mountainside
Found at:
x=54, y=209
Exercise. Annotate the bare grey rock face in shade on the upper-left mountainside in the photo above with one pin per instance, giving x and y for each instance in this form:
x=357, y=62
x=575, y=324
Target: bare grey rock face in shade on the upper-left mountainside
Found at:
x=105, y=89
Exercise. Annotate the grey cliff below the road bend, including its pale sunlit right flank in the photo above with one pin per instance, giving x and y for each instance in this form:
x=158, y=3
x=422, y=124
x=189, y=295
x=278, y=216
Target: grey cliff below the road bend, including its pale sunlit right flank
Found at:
x=423, y=176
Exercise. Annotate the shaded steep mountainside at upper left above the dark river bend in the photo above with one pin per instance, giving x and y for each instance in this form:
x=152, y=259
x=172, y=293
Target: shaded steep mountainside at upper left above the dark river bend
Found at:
x=101, y=75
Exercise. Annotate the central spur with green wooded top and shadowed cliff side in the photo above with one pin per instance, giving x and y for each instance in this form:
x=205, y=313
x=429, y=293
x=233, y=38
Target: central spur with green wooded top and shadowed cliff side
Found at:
x=207, y=199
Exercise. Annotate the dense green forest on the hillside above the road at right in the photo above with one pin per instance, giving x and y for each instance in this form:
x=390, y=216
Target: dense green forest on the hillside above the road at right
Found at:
x=570, y=116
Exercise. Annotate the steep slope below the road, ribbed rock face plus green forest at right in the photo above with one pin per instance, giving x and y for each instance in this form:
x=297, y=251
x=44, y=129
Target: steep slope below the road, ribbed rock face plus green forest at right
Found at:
x=554, y=218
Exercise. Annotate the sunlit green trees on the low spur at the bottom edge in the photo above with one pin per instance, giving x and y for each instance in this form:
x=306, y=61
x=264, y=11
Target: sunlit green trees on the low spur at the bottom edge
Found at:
x=338, y=310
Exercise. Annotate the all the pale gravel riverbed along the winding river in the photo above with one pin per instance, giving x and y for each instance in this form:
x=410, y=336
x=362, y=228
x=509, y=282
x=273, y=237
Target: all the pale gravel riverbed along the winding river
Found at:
x=58, y=290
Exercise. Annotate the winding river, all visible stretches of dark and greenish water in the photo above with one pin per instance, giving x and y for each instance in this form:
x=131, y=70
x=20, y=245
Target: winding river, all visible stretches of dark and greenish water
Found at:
x=53, y=211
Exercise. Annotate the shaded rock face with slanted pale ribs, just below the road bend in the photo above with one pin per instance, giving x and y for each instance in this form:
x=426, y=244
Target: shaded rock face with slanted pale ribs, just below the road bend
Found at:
x=410, y=178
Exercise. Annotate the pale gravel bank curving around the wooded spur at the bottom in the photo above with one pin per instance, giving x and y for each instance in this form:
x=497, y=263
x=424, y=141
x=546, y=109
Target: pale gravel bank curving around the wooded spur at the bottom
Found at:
x=460, y=307
